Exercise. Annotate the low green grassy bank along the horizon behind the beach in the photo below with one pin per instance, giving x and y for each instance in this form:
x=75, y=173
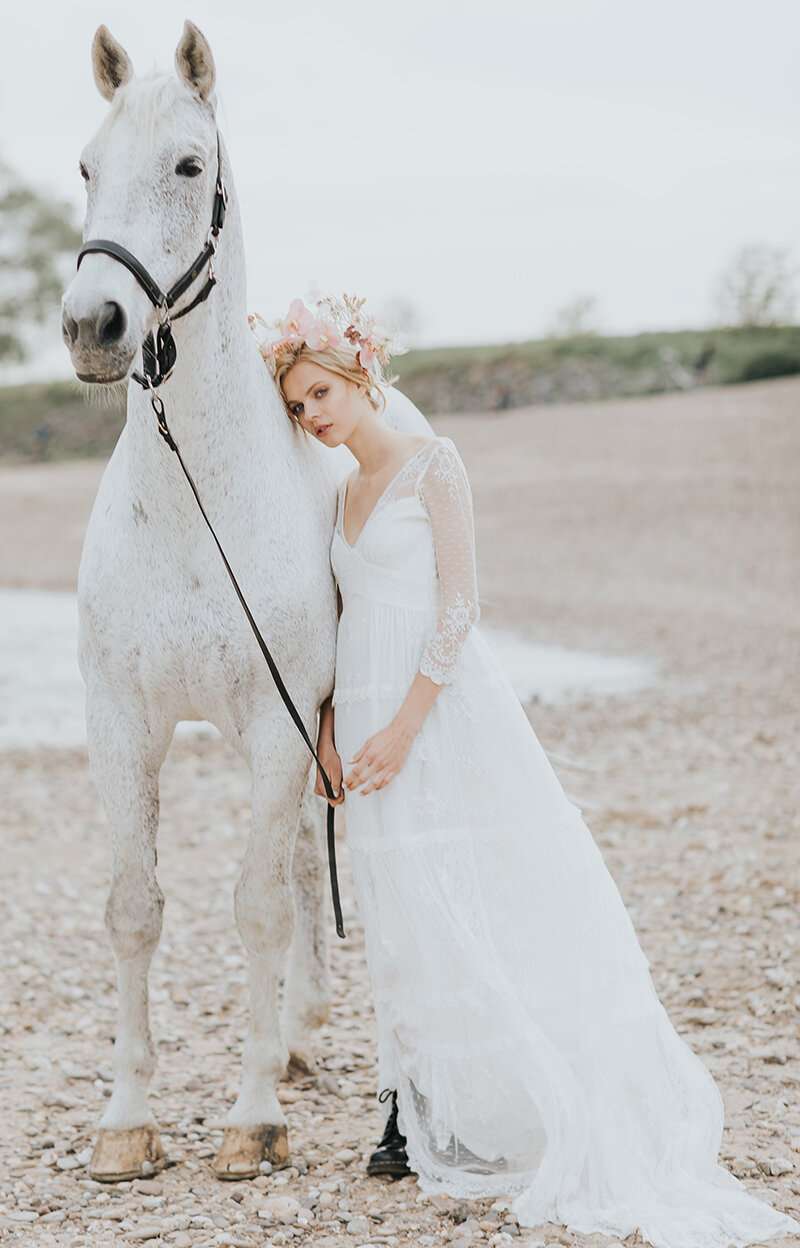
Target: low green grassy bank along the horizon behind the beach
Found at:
x=52, y=421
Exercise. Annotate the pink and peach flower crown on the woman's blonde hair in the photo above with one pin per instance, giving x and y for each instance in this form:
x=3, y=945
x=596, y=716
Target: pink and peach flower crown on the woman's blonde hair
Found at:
x=334, y=324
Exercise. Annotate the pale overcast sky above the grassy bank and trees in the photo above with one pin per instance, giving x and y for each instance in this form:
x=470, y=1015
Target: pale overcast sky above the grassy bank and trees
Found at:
x=489, y=162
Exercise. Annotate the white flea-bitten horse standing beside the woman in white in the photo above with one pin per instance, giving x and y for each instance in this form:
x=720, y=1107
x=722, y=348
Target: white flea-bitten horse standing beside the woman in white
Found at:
x=163, y=636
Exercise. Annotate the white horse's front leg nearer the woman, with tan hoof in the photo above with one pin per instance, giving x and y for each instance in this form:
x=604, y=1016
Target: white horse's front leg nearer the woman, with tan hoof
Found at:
x=255, y=1128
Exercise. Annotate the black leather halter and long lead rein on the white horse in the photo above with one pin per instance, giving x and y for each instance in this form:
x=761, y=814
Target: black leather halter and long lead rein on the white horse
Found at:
x=159, y=358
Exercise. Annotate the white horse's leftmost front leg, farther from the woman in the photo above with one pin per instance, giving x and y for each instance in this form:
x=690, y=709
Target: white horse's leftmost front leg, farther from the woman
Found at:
x=125, y=759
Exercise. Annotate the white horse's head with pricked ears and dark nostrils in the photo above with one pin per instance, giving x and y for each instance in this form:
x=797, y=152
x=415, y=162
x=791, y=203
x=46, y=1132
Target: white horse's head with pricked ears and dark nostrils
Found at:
x=150, y=174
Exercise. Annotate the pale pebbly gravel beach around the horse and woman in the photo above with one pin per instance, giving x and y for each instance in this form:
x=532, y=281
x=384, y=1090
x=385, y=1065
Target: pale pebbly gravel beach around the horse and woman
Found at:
x=667, y=529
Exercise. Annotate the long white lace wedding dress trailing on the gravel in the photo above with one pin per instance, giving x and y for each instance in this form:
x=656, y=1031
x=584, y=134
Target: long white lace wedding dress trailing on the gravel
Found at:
x=516, y=1012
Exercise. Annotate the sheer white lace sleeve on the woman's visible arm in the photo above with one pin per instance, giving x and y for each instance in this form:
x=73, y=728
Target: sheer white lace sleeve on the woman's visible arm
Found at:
x=445, y=491
